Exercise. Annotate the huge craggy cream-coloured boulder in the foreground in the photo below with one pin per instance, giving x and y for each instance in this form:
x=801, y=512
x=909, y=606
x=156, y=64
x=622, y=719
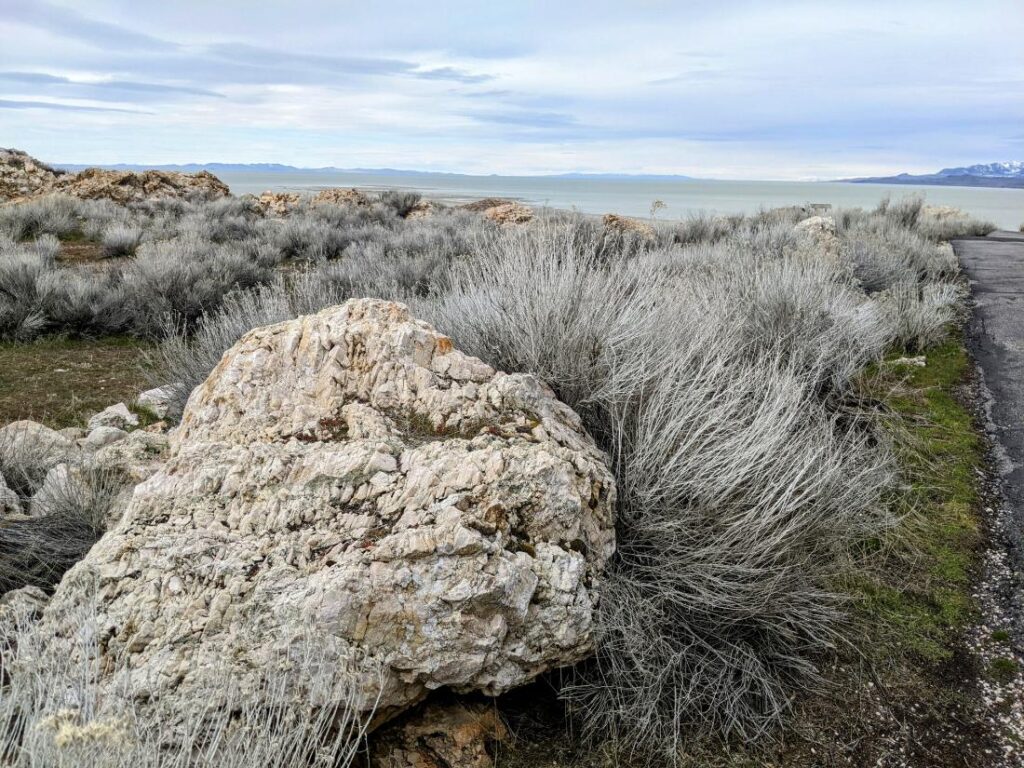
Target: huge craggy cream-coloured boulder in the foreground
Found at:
x=351, y=478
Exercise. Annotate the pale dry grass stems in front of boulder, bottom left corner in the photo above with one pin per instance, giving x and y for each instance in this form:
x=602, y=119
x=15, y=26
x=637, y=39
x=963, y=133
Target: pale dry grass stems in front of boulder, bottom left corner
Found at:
x=302, y=711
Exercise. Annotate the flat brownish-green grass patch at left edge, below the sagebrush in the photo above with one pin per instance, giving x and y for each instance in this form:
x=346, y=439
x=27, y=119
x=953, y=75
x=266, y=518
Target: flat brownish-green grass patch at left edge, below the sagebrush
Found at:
x=63, y=382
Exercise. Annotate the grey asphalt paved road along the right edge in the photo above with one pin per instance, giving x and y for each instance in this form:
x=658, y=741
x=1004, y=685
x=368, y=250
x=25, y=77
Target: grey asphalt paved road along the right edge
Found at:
x=996, y=268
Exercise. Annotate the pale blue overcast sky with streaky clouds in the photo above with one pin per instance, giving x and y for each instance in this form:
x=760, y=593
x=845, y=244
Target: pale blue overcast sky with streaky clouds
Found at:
x=716, y=89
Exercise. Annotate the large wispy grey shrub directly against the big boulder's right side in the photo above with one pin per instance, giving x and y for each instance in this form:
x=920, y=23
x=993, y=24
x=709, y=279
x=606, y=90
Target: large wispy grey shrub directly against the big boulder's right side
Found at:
x=745, y=474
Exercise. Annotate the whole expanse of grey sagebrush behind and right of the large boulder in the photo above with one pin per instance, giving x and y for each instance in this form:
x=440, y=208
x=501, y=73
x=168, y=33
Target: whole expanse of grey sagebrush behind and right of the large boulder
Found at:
x=714, y=360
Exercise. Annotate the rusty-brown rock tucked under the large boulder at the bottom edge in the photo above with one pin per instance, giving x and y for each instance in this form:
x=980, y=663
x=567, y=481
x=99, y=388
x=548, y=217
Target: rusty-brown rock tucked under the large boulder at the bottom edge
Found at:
x=440, y=736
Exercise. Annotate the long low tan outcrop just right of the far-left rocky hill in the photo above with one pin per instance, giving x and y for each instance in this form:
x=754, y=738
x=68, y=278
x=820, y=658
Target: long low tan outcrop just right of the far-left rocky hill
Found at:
x=133, y=187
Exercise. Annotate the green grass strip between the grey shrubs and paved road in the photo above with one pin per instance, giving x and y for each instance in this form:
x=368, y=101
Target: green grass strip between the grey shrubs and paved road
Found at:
x=921, y=600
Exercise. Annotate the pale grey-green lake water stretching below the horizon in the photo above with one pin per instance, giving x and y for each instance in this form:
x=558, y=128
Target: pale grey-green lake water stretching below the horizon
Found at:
x=634, y=197
